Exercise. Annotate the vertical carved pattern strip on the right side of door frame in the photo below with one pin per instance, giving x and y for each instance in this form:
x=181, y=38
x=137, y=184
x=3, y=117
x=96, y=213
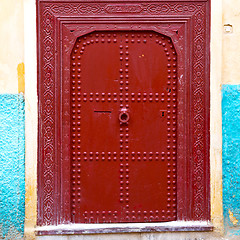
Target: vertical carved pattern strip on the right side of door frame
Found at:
x=199, y=112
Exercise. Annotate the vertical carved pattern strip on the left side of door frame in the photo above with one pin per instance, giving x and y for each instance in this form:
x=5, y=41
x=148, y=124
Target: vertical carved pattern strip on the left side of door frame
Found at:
x=47, y=147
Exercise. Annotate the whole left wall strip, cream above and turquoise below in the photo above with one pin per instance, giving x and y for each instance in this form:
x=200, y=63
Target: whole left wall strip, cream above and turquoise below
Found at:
x=12, y=143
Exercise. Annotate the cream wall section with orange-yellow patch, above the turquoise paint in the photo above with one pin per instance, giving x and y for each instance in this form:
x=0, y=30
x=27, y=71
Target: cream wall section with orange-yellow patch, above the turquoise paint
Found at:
x=11, y=45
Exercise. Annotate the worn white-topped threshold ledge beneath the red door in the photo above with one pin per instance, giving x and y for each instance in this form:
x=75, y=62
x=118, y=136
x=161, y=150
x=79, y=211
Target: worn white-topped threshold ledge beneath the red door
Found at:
x=95, y=228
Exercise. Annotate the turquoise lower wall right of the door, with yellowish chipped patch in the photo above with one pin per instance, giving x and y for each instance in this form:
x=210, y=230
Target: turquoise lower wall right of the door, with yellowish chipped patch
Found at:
x=231, y=157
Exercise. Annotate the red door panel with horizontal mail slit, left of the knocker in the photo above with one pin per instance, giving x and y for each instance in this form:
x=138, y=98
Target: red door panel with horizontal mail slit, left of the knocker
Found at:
x=99, y=128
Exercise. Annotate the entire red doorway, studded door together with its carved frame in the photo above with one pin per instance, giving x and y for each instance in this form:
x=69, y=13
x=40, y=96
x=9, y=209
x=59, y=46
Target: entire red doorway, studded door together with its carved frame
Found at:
x=124, y=106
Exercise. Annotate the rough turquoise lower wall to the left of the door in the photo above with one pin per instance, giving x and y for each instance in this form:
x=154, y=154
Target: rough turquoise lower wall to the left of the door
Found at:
x=12, y=168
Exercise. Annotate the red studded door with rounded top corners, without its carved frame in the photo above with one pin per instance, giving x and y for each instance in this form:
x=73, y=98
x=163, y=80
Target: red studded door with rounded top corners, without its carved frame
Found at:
x=123, y=127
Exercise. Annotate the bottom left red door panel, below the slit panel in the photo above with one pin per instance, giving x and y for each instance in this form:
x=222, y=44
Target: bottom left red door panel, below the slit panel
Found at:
x=99, y=179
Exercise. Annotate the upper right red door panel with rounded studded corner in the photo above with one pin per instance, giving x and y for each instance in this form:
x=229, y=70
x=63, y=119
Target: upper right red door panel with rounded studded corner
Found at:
x=148, y=60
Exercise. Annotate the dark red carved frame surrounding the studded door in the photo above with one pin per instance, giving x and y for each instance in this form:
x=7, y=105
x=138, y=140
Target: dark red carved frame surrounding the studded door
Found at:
x=60, y=22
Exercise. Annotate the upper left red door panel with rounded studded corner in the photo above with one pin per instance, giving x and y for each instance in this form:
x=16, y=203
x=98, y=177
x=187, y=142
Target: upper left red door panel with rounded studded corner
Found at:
x=99, y=63
